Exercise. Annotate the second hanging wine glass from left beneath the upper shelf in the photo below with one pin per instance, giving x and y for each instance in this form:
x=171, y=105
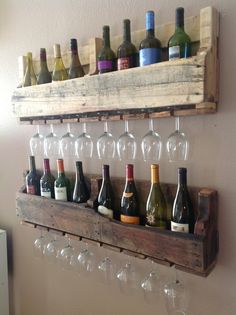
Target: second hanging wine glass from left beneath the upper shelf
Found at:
x=51, y=144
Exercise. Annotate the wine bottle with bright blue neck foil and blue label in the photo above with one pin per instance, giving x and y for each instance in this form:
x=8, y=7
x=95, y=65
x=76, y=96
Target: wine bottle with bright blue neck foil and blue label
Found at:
x=150, y=47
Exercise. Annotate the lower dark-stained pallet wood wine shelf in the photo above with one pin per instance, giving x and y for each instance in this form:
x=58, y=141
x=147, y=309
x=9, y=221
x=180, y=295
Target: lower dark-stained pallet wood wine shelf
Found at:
x=195, y=253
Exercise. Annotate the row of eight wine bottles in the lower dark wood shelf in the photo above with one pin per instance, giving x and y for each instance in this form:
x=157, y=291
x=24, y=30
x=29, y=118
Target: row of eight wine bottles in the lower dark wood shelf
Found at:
x=182, y=217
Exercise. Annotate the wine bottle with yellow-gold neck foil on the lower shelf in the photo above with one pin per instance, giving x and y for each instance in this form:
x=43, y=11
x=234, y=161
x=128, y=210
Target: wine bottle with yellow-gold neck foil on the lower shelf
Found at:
x=156, y=204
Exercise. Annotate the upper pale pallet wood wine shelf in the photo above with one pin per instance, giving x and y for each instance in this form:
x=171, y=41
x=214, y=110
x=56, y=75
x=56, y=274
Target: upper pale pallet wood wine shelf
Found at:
x=182, y=87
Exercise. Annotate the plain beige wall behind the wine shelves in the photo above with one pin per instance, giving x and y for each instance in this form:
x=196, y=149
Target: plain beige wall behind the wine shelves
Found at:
x=42, y=289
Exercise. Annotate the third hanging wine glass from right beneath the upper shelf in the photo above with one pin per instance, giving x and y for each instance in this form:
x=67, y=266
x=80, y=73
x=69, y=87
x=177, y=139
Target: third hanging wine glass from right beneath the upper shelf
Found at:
x=126, y=145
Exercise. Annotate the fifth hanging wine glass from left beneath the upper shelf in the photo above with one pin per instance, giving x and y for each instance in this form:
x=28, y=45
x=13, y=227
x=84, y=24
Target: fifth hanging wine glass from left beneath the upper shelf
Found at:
x=106, y=145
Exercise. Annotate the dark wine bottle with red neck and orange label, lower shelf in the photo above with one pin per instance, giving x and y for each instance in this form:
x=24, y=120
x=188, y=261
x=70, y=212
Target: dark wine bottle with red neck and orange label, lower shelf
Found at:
x=129, y=201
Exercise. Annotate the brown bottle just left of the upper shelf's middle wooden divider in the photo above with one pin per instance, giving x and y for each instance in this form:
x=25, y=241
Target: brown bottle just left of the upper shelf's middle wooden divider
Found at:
x=75, y=70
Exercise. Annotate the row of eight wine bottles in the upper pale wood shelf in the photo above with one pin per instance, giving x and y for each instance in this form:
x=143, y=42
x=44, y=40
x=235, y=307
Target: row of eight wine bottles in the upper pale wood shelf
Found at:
x=127, y=55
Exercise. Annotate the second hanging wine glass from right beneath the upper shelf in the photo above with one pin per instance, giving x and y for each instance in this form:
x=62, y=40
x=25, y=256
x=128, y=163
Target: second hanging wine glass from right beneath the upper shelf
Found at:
x=151, y=144
